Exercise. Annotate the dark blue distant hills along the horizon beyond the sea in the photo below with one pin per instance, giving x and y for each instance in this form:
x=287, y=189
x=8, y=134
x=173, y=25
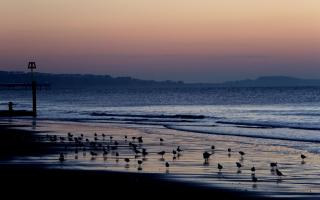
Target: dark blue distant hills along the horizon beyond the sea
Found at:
x=86, y=80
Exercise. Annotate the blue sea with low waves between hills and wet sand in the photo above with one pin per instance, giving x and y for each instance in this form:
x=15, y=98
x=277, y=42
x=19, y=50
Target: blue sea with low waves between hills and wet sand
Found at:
x=273, y=113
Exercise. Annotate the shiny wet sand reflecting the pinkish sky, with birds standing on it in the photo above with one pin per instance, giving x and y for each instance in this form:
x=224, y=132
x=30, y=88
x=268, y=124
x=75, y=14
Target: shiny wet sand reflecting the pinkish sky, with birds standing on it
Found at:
x=252, y=164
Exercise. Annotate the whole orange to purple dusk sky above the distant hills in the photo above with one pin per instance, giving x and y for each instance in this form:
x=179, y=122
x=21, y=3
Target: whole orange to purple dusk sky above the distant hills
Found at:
x=188, y=40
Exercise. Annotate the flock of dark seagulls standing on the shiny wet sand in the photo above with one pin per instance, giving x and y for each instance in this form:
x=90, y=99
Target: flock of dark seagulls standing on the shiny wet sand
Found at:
x=111, y=146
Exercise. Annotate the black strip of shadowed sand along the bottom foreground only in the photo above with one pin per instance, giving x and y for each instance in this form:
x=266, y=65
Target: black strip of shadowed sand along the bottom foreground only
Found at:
x=34, y=181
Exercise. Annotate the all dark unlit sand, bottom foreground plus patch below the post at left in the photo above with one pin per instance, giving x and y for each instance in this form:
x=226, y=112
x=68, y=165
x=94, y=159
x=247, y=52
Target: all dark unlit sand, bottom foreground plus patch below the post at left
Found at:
x=33, y=180
